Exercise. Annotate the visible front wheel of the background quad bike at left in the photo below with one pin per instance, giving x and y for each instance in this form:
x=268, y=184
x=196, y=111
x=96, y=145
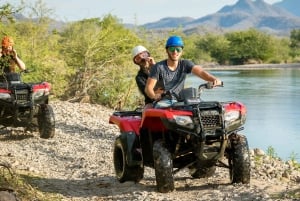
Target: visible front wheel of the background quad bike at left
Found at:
x=46, y=121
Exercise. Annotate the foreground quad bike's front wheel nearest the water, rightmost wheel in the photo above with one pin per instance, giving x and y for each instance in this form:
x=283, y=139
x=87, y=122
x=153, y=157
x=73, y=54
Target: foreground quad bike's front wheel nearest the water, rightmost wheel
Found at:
x=239, y=160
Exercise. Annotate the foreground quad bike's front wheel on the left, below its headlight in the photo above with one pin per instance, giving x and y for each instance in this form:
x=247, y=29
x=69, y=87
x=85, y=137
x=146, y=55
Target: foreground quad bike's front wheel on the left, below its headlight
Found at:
x=163, y=165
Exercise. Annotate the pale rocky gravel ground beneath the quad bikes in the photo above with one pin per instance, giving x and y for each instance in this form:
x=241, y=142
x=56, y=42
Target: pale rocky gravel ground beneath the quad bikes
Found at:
x=77, y=165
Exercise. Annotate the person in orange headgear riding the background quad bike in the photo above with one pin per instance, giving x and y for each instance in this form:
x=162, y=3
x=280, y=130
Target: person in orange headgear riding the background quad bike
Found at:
x=9, y=59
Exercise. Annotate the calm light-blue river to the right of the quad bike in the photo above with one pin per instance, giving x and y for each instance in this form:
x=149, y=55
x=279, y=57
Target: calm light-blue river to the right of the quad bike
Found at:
x=272, y=98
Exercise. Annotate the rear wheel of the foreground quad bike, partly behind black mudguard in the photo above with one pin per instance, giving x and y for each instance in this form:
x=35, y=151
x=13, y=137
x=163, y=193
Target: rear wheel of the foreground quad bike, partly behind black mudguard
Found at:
x=122, y=170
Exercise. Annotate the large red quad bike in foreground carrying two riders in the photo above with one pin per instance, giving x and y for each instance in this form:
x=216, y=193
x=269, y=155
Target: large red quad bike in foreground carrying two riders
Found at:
x=193, y=134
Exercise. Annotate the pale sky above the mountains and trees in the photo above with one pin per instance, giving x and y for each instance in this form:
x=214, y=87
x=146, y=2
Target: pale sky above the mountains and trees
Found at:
x=132, y=11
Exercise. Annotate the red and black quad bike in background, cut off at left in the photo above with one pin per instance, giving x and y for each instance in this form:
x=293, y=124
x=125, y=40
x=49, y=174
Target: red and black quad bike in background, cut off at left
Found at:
x=26, y=104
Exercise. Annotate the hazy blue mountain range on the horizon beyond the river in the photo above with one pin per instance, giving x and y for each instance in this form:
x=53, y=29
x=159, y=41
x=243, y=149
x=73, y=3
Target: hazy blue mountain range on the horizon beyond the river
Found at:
x=240, y=16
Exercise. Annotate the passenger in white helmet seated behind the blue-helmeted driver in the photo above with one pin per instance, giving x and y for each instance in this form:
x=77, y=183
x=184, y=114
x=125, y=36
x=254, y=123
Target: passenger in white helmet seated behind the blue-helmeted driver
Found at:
x=141, y=57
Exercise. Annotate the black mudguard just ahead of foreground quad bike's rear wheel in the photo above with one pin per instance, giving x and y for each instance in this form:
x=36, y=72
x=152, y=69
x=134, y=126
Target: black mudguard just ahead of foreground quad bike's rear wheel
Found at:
x=133, y=154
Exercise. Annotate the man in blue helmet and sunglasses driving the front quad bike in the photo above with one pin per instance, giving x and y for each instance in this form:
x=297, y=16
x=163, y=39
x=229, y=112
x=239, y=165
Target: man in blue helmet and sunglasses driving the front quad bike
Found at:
x=172, y=73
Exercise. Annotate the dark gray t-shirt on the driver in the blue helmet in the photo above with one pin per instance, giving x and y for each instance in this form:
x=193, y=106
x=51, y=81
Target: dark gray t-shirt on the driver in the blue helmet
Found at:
x=172, y=81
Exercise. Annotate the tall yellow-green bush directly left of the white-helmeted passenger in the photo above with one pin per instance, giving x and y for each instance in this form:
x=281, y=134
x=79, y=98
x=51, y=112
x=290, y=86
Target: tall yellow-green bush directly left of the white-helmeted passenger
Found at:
x=97, y=50
